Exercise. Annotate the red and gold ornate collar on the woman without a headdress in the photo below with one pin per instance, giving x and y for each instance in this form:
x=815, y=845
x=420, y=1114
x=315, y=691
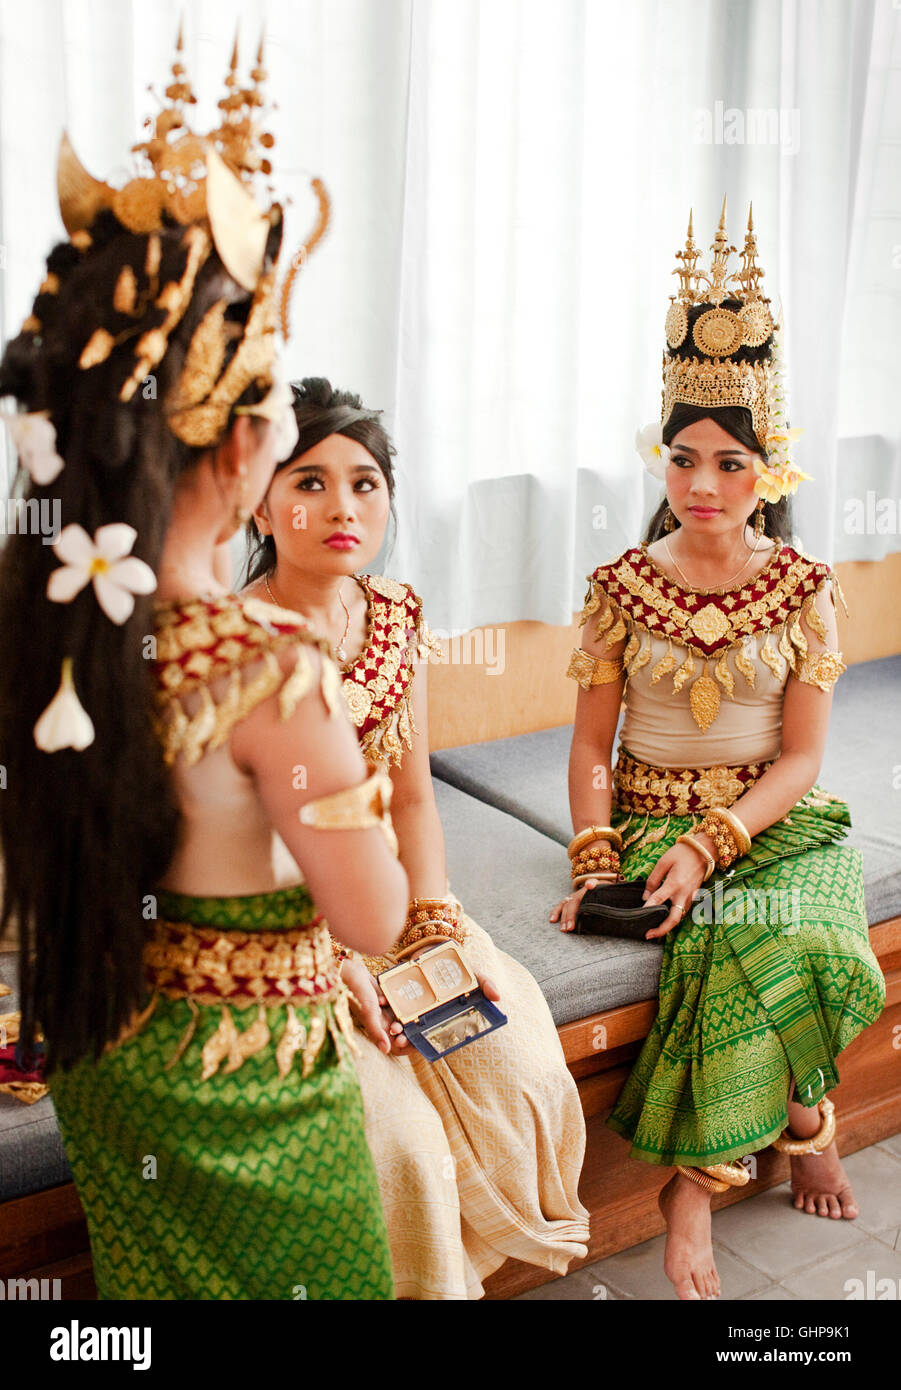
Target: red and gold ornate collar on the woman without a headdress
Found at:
x=379, y=685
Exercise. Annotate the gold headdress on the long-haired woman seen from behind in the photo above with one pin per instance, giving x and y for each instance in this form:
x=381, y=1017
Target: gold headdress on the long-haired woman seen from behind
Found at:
x=206, y=186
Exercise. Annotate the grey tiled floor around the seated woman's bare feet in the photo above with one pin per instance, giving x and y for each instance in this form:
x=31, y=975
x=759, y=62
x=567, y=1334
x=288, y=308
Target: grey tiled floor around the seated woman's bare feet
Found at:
x=767, y=1250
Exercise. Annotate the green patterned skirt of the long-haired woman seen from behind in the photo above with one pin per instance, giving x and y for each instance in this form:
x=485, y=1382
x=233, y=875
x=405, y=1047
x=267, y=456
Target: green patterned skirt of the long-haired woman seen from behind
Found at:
x=248, y=1185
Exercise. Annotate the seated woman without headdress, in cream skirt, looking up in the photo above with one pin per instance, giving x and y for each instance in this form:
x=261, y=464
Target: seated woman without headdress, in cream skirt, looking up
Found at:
x=478, y=1154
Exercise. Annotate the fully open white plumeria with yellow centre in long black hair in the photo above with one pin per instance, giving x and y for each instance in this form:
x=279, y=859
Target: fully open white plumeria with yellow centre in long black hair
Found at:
x=117, y=576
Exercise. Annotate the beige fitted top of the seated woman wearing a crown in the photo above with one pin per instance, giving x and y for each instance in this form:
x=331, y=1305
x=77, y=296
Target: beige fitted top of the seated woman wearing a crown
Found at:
x=660, y=728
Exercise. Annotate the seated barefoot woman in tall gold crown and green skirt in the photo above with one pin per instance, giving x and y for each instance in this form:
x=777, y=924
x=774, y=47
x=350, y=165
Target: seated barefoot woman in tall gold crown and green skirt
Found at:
x=721, y=640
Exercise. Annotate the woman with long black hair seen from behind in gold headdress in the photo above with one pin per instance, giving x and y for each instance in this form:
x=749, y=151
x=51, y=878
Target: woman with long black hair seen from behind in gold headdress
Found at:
x=198, y=1032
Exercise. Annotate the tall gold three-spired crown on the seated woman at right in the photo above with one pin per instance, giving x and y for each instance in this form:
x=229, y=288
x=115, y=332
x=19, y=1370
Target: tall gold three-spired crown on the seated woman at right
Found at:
x=729, y=354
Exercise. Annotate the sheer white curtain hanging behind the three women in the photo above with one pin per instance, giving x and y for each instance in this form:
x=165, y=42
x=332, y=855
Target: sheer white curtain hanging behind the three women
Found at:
x=511, y=181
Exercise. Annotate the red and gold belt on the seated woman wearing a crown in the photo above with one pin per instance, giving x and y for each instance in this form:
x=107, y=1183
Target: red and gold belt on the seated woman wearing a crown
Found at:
x=681, y=792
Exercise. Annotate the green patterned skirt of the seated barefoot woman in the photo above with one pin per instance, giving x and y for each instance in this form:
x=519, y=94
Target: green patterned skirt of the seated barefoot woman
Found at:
x=770, y=976
